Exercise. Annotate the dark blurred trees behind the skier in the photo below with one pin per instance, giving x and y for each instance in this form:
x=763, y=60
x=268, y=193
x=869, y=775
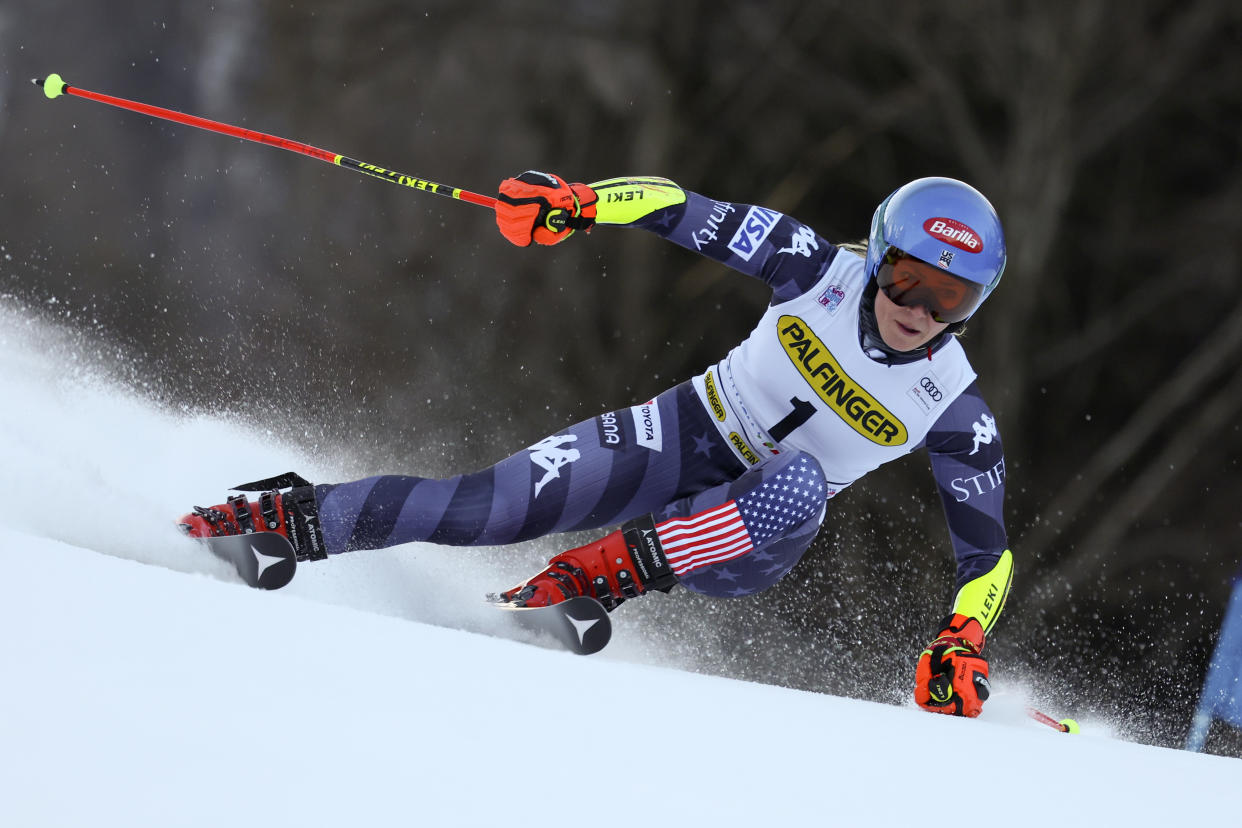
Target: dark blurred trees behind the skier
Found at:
x=402, y=328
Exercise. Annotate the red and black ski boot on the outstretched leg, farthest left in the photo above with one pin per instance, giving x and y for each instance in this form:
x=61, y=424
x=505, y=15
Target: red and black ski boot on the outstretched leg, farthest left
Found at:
x=294, y=515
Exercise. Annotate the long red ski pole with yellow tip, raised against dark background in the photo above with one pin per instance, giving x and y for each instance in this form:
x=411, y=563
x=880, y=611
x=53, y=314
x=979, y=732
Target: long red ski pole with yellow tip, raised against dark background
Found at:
x=54, y=88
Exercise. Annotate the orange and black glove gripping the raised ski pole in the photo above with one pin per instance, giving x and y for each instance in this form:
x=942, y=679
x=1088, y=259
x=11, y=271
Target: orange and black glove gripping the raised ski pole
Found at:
x=541, y=208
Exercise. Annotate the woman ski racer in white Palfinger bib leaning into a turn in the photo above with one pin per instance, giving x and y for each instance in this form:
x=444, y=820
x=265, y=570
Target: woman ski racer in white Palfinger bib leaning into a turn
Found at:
x=721, y=484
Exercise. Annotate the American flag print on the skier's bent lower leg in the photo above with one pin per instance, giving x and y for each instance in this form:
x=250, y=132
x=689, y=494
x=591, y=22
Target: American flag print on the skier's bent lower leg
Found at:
x=733, y=529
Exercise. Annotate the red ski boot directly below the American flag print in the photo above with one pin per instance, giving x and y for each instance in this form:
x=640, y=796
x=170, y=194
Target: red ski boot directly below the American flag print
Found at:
x=623, y=565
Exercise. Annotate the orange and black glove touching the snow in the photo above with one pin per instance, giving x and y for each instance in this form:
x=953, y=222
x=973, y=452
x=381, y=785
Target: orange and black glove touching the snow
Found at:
x=952, y=676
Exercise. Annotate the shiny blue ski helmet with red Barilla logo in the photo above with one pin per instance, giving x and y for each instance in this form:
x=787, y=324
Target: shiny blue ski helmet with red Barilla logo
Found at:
x=945, y=223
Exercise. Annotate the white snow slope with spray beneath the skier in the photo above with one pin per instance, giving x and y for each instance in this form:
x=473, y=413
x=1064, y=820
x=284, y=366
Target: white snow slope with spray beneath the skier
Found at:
x=369, y=695
